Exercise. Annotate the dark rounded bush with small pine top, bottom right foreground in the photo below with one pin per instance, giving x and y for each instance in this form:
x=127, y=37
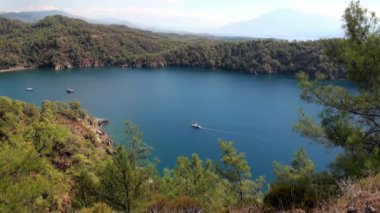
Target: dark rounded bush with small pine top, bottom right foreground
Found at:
x=298, y=186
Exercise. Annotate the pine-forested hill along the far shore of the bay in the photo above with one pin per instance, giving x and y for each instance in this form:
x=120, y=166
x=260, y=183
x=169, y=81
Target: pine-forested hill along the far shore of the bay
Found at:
x=60, y=42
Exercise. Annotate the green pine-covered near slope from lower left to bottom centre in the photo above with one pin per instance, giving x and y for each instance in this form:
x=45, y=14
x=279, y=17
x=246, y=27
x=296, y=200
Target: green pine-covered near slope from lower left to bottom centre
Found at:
x=48, y=155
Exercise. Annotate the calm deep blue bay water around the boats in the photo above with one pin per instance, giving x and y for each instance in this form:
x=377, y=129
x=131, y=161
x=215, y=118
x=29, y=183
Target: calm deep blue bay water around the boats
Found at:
x=257, y=112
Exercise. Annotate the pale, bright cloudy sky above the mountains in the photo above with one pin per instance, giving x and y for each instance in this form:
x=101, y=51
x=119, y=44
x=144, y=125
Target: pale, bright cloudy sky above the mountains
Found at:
x=195, y=15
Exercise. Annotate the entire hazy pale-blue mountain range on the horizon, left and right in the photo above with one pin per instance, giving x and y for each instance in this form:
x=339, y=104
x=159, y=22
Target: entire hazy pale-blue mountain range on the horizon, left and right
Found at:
x=281, y=24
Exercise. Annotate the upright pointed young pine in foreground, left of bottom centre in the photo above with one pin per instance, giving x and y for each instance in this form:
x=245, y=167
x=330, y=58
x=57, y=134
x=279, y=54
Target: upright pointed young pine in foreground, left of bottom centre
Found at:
x=127, y=181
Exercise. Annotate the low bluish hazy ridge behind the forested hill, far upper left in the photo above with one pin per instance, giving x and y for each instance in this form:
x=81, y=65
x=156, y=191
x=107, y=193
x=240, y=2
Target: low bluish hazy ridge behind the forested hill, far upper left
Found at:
x=33, y=16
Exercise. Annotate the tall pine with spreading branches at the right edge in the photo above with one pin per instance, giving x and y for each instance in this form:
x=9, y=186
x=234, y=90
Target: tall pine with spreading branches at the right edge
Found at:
x=349, y=120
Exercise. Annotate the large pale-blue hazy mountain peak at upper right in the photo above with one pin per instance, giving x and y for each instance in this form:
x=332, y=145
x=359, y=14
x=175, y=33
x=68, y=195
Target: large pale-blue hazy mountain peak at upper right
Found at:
x=285, y=24
